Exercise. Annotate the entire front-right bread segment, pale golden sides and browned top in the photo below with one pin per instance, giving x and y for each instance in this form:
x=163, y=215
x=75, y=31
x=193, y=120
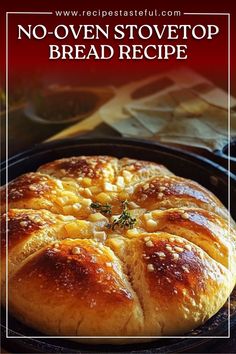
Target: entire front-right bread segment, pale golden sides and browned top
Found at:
x=179, y=281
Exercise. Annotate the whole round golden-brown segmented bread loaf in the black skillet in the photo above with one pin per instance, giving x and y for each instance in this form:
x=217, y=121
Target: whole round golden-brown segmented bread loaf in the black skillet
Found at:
x=71, y=274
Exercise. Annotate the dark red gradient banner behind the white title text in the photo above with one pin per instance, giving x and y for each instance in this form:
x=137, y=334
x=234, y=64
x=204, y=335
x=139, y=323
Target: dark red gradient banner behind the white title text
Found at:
x=29, y=58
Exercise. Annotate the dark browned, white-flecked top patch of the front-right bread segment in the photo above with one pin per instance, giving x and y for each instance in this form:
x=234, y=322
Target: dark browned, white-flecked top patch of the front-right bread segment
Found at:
x=177, y=265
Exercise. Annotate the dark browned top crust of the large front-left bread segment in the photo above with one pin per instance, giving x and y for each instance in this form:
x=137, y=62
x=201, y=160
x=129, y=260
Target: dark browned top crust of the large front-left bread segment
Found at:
x=77, y=268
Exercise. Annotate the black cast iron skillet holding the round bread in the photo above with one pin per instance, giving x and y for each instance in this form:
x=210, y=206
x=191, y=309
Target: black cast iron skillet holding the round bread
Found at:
x=188, y=165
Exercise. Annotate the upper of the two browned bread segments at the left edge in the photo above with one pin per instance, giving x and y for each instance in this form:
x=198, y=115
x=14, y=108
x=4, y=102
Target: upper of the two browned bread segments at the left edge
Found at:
x=38, y=191
